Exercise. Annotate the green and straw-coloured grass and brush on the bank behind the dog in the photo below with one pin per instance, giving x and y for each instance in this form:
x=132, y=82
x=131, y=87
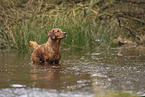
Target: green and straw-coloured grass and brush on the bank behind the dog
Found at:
x=88, y=23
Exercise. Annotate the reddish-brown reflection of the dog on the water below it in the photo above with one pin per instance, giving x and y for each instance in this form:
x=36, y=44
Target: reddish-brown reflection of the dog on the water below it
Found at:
x=46, y=76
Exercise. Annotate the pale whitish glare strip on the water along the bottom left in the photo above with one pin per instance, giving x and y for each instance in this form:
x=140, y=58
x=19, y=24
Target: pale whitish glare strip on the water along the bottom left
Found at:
x=37, y=92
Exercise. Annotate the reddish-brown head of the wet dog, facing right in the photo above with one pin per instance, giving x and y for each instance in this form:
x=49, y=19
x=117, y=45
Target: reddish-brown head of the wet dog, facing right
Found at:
x=56, y=34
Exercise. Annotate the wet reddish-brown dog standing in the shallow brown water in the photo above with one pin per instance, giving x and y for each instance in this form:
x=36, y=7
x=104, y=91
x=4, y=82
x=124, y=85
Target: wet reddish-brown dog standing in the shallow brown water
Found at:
x=50, y=52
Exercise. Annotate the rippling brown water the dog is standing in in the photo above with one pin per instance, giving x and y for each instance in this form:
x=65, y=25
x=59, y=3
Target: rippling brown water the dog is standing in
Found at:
x=80, y=74
